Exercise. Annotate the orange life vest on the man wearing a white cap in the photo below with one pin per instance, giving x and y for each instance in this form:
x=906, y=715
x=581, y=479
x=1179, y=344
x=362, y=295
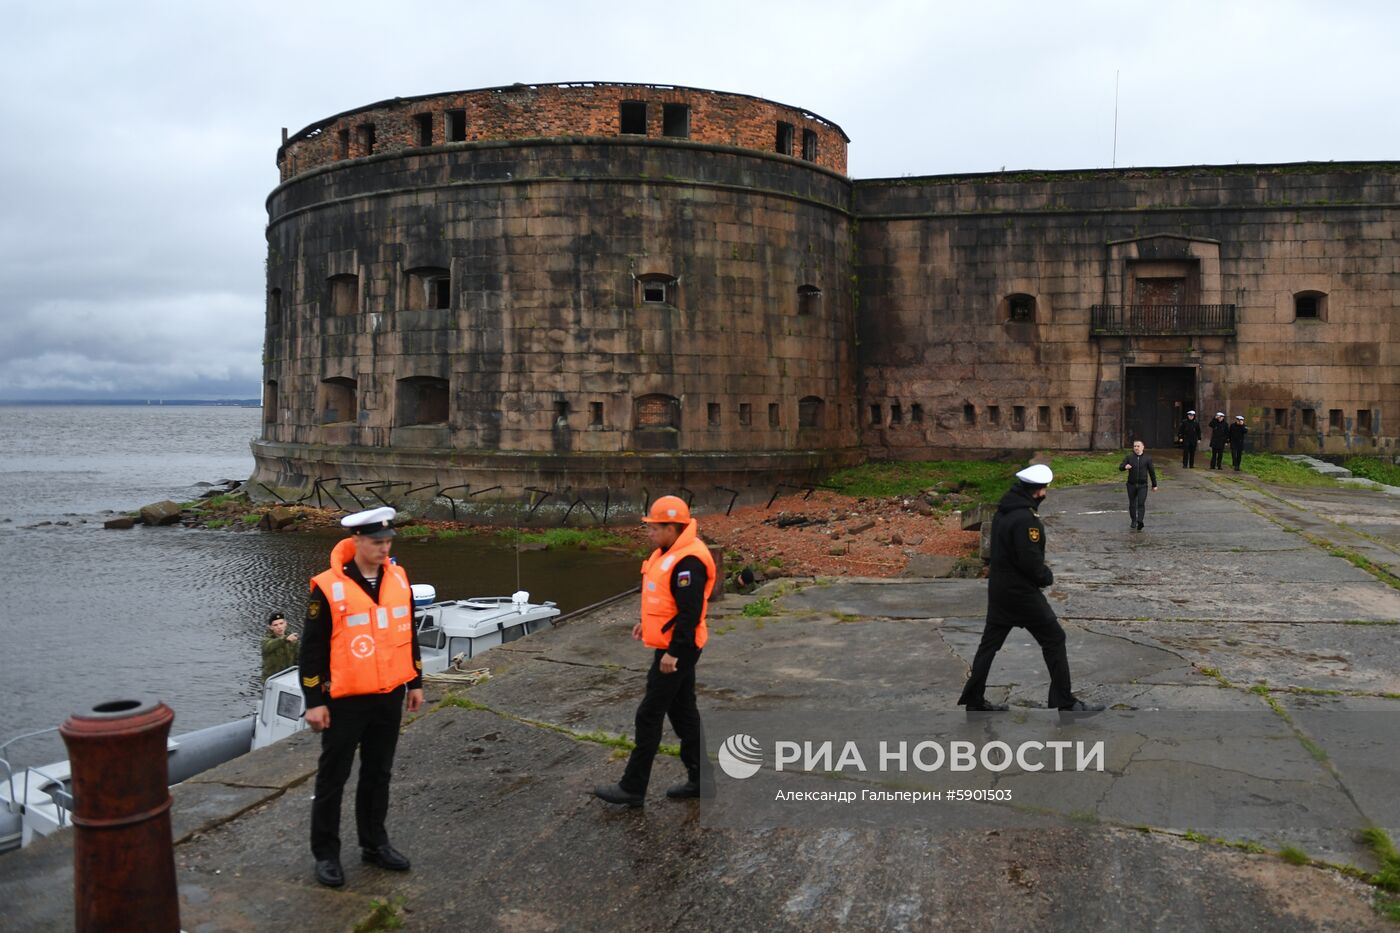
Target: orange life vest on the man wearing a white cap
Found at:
x=372, y=644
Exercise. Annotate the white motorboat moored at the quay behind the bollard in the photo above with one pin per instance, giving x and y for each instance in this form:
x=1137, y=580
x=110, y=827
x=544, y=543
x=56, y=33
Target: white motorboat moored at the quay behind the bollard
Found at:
x=36, y=802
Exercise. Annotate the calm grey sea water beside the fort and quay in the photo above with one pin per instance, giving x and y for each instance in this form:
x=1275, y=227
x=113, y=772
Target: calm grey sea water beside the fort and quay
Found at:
x=178, y=613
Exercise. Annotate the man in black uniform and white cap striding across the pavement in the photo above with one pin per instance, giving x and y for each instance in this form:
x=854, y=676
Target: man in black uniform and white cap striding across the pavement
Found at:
x=1014, y=600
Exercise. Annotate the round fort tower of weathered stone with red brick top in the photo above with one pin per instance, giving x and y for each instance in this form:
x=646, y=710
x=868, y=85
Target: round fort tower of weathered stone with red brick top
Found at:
x=597, y=291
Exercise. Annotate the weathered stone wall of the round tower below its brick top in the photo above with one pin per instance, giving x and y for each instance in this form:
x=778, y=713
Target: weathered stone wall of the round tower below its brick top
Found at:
x=545, y=243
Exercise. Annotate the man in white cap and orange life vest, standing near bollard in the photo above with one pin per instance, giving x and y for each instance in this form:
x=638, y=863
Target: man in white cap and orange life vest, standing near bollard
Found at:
x=360, y=666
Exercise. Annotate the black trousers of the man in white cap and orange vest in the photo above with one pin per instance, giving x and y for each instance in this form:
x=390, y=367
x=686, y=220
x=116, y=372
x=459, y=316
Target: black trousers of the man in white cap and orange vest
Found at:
x=372, y=725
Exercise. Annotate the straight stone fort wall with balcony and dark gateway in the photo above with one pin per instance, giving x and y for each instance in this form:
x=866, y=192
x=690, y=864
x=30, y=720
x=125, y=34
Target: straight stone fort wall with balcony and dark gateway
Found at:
x=939, y=256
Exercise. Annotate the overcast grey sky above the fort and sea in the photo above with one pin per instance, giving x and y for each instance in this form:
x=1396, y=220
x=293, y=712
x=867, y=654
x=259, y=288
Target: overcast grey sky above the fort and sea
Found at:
x=138, y=139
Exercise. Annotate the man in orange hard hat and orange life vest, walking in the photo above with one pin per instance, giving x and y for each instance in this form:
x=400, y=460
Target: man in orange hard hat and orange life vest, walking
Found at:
x=677, y=582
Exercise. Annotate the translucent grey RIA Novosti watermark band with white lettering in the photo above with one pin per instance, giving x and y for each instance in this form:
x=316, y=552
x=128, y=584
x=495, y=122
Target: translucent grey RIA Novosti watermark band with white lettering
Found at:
x=1315, y=774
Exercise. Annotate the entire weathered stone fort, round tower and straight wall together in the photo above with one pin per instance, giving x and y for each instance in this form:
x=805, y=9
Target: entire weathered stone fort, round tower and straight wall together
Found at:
x=610, y=291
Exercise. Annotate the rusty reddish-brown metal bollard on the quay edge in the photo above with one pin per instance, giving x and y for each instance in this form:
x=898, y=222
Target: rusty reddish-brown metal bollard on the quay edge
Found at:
x=124, y=861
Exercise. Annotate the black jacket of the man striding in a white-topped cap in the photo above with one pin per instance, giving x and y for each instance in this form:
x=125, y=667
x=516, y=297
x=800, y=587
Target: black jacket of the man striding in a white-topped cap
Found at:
x=1018, y=561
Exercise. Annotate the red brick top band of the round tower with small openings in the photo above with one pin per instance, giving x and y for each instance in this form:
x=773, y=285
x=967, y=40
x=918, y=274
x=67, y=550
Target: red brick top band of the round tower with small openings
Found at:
x=551, y=111
